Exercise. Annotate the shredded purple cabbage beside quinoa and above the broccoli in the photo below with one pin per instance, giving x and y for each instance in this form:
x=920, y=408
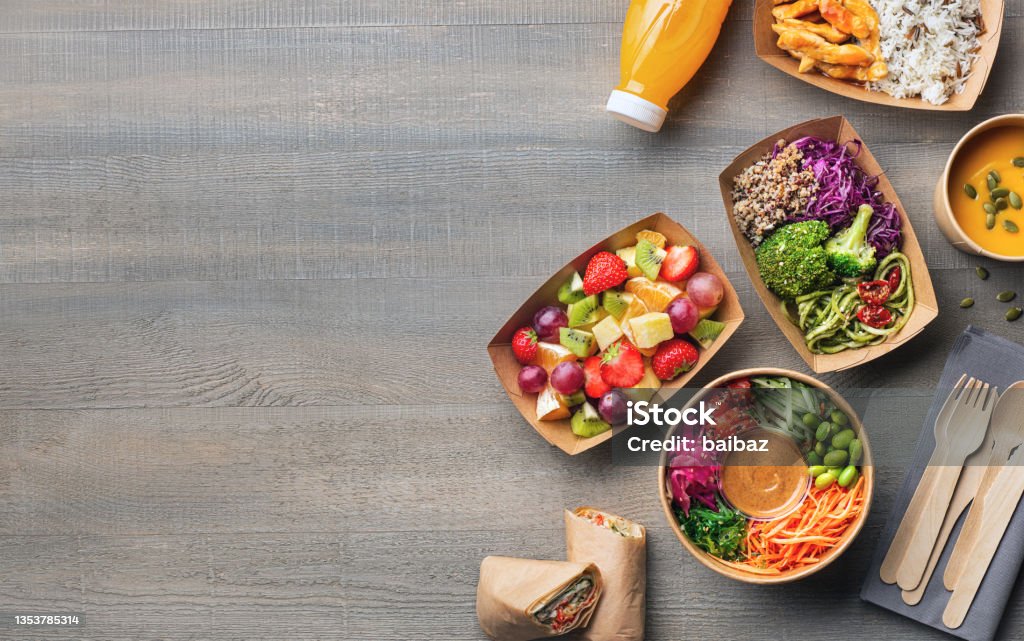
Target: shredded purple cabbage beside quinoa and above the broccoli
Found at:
x=842, y=189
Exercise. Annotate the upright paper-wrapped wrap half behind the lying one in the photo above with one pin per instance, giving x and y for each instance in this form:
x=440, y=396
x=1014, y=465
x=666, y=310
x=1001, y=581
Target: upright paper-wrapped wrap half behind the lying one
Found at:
x=623, y=562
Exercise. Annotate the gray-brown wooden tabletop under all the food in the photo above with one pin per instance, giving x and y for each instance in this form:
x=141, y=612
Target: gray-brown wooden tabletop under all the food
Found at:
x=251, y=253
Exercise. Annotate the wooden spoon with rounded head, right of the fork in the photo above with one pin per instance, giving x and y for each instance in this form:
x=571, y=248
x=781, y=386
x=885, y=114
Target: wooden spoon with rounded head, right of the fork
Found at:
x=1008, y=428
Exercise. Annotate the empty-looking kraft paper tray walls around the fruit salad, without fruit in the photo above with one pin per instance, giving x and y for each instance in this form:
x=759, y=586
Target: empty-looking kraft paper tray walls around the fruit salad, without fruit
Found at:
x=560, y=434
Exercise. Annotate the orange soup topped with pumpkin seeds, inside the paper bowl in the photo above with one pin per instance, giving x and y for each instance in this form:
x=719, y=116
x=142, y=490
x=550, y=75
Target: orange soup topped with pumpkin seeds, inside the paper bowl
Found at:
x=998, y=154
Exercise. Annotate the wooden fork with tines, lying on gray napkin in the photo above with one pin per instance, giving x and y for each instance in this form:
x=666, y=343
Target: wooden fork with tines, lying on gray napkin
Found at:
x=965, y=435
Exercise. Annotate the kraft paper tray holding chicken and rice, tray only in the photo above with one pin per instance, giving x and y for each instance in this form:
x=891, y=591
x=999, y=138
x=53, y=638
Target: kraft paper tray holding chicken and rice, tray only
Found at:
x=767, y=51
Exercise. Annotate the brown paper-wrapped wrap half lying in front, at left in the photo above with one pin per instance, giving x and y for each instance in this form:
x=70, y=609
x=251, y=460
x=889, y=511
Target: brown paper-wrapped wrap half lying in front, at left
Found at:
x=511, y=589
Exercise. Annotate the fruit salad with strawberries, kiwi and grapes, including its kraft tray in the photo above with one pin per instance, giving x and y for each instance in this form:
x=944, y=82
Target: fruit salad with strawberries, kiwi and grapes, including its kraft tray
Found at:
x=635, y=316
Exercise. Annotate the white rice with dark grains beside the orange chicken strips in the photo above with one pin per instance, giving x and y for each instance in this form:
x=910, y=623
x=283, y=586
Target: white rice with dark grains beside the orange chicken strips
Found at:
x=929, y=46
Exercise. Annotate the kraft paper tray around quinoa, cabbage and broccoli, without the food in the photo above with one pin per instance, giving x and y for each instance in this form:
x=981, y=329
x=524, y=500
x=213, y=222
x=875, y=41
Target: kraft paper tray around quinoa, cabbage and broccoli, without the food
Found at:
x=926, y=309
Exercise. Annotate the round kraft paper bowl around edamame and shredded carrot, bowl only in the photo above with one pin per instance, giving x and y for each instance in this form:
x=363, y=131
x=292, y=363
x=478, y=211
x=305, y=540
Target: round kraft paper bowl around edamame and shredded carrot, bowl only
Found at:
x=801, y=573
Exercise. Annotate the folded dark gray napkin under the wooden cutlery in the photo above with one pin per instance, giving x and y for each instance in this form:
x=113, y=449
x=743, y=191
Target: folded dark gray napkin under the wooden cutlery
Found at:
x=1000, y=363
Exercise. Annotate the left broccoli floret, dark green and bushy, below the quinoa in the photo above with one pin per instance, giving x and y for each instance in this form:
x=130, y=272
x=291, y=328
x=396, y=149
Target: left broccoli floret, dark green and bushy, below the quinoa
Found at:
x=792, y=261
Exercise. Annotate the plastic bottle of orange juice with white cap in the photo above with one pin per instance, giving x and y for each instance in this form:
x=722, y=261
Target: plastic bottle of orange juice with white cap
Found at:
x=664, y=45
